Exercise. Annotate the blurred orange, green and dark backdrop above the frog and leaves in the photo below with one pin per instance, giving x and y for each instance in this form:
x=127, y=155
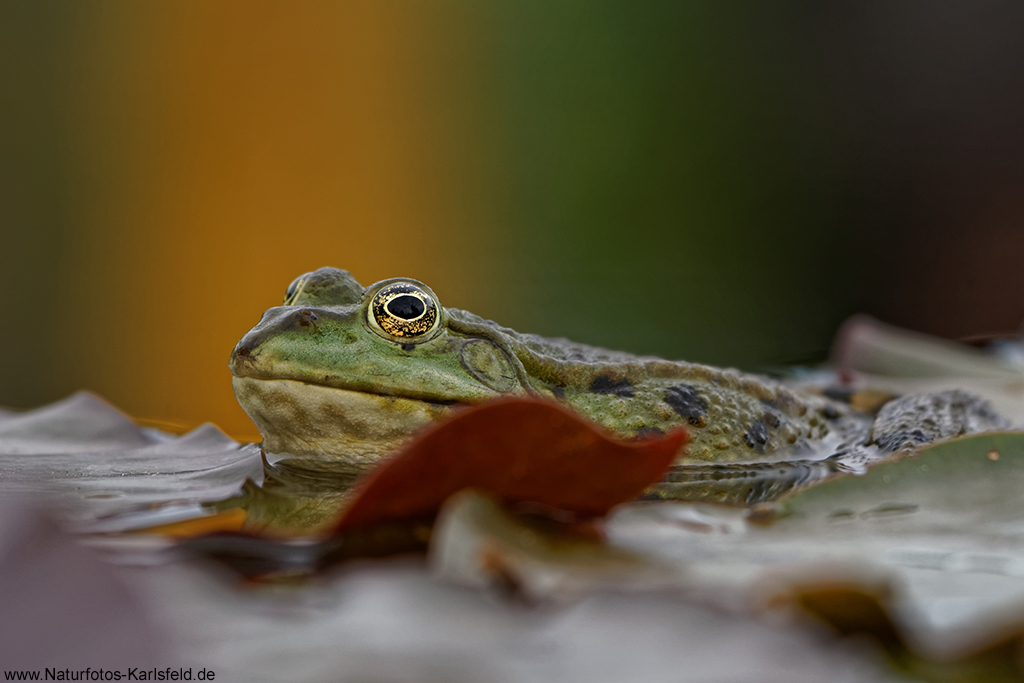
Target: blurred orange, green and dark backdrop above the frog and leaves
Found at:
x=722, y=183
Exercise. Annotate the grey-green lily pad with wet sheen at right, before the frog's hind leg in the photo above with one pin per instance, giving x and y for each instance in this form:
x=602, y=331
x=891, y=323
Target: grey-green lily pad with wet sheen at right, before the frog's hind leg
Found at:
x=946, y=527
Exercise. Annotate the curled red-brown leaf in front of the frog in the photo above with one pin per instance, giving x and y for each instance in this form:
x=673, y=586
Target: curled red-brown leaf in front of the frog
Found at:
x=521, y=450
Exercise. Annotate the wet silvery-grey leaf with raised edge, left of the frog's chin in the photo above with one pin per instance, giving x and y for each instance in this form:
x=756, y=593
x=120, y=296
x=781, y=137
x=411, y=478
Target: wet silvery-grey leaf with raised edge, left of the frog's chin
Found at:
x=111, y=476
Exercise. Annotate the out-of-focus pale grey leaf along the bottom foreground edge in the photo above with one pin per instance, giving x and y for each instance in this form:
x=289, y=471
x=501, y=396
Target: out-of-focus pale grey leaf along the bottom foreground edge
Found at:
x=393, y=622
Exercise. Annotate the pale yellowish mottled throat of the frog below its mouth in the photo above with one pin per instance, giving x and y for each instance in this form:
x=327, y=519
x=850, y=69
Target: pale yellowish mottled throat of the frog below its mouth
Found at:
x=313, y=420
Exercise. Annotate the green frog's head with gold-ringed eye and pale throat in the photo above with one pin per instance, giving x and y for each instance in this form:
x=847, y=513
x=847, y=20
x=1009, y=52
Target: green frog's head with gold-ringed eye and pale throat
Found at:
x=346, y=371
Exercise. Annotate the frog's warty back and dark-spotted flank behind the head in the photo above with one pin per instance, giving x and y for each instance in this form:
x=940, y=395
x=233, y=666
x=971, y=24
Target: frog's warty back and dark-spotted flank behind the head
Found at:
x=732, y=417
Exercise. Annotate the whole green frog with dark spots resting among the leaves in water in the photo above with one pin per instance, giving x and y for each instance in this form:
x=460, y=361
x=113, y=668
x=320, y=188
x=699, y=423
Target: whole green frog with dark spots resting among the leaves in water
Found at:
x=347, y=373
